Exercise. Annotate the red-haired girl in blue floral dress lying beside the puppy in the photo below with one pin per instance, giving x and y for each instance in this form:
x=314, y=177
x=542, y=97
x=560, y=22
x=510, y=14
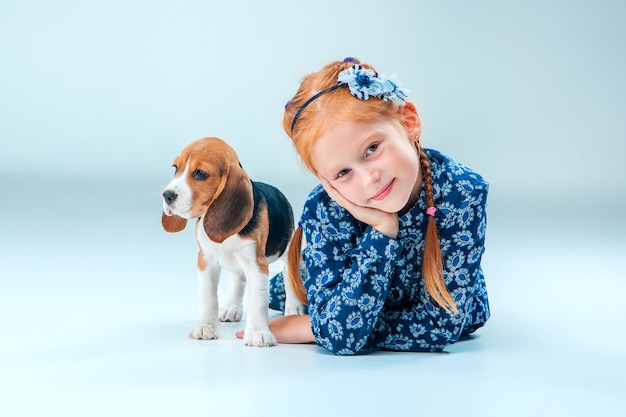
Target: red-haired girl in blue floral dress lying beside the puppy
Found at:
x=394, y=233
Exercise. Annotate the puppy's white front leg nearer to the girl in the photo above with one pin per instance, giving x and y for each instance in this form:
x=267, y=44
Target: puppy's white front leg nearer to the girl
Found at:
x=257, y=332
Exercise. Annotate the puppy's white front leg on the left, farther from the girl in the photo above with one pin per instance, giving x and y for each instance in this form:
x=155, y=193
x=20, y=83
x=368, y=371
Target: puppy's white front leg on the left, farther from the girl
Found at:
x=207, y=325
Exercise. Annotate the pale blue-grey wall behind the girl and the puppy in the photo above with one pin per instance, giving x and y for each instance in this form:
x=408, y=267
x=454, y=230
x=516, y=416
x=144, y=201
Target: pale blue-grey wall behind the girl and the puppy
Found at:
x=529, y=93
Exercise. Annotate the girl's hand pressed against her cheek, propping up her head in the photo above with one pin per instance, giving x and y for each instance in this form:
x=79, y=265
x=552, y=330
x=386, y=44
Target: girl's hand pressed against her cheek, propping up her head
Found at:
x=386, y=223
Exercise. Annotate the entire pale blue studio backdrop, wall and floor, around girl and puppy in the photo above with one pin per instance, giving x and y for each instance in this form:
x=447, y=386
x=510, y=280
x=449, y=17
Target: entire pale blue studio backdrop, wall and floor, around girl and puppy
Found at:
x=98, y=97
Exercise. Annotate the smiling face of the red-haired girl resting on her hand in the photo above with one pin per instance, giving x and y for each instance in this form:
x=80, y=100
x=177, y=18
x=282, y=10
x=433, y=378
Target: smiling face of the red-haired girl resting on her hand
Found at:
x=372, y=164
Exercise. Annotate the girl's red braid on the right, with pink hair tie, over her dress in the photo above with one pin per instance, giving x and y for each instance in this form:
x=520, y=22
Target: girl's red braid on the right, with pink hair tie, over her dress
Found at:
x=432, y=262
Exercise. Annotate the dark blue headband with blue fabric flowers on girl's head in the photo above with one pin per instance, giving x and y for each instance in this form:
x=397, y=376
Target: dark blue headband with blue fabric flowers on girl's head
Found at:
x=362, y=84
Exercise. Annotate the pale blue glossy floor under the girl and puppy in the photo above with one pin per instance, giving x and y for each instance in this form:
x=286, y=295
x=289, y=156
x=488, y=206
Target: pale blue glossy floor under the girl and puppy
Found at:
x=96, y=302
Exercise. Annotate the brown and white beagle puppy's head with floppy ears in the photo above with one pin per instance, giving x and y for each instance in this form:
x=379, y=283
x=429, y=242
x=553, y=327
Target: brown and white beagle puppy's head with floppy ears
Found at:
x=209, y=182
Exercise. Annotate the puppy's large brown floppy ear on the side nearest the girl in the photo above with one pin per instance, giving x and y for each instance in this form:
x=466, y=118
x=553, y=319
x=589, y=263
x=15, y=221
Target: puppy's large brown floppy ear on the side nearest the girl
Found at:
x=232, y=207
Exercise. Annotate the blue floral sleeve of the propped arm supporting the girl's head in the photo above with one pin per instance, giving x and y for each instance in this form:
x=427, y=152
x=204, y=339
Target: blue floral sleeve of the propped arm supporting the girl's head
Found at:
x=348, y=267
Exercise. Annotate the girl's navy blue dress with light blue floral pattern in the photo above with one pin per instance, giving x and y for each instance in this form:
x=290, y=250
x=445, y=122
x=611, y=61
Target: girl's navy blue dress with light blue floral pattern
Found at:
x=365, y=290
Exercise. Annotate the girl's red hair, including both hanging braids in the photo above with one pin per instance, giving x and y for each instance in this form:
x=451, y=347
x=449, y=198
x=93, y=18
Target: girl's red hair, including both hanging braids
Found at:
x=336, y=106
